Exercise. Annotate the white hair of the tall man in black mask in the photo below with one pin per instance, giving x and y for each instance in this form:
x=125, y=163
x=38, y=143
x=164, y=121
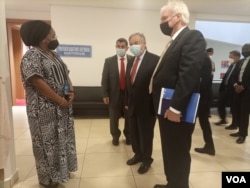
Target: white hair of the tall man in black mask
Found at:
x=178, y=7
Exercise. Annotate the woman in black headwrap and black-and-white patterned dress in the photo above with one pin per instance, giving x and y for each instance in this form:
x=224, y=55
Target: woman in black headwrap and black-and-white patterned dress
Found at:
x=49, y=104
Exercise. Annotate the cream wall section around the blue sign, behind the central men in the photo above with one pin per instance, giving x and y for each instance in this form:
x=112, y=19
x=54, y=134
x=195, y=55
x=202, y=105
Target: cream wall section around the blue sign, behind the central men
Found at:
x=100, y=28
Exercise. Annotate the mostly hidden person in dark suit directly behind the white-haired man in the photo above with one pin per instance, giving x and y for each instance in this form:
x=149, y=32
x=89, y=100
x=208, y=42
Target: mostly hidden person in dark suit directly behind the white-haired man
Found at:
x=204, y=106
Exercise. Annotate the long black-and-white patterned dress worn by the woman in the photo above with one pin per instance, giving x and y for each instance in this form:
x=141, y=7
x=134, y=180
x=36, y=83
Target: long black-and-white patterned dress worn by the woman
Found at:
x=51, y=126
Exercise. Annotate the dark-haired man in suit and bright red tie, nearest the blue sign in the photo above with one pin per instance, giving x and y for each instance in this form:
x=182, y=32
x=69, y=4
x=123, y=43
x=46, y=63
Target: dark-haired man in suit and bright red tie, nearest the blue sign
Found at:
x=113, y=88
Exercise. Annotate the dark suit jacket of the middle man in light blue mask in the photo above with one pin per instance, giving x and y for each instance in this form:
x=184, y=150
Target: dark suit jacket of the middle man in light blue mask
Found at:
x=139, y=99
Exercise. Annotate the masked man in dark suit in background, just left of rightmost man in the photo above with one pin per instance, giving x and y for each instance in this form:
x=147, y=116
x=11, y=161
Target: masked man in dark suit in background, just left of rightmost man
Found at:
x=226, y=91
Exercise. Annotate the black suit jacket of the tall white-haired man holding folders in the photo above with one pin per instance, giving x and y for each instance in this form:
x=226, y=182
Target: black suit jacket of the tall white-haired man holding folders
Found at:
x=180, y=68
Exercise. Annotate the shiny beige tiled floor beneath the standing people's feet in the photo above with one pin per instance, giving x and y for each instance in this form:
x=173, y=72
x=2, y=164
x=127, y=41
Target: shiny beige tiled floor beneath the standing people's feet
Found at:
x=104, y=165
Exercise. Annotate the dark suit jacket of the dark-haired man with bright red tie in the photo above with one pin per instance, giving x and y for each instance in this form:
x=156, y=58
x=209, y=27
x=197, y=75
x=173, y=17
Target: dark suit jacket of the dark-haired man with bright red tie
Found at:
x=111, y=78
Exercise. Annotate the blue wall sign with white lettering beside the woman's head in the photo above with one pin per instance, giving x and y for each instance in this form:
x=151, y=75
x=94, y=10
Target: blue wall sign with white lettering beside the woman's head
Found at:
x=65, y=50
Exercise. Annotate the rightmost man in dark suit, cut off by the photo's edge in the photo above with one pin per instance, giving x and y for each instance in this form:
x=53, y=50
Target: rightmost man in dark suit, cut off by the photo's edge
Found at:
x=241, y=80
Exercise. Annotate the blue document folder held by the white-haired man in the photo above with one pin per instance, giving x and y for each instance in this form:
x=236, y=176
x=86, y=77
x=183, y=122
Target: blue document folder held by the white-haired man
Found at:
x=189, y=115
